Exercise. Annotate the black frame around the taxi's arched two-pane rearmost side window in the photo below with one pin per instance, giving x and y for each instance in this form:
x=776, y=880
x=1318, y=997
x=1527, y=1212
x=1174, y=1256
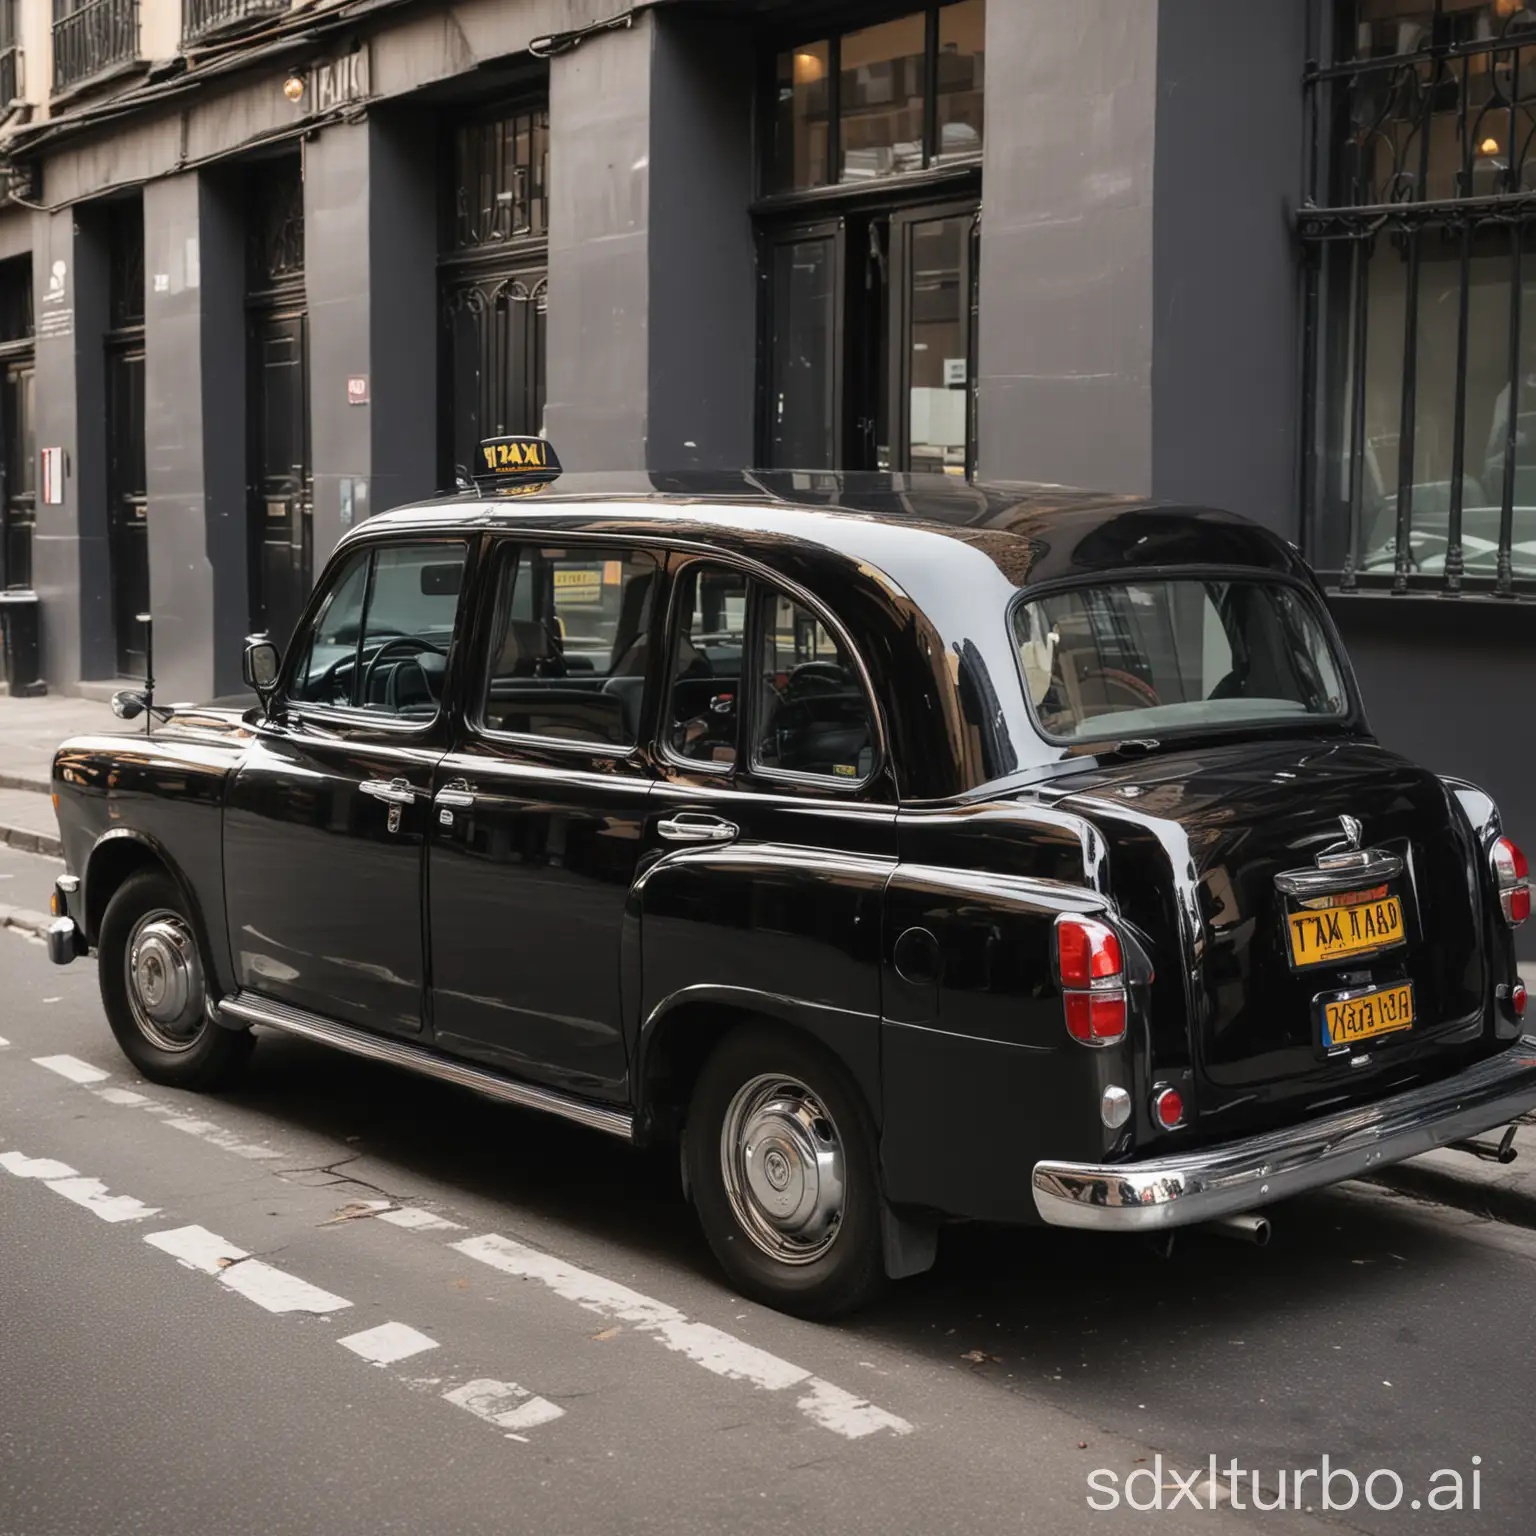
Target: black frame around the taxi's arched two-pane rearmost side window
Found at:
x=761, y=583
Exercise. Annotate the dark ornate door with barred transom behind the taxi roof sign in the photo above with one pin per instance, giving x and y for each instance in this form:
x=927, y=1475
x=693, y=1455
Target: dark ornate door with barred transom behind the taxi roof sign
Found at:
x=494, y=280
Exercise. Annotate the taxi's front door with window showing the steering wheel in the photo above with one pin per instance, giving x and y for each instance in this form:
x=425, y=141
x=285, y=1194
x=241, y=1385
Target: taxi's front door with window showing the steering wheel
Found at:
x=325, y=826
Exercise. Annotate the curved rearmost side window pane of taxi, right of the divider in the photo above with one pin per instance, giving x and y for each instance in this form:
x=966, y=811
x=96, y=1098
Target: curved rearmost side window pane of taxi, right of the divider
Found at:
x=813, y=713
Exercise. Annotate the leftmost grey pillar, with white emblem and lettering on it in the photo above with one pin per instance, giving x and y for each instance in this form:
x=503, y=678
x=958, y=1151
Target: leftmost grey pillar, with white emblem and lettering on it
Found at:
x=71, y=571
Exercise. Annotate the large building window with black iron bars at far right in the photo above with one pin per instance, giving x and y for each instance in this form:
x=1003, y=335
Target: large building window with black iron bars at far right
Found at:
x=1422, y=245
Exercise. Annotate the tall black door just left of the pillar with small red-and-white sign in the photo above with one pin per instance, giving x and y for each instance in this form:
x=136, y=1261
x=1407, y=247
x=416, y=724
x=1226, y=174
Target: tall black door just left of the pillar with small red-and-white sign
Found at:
x=282, y=538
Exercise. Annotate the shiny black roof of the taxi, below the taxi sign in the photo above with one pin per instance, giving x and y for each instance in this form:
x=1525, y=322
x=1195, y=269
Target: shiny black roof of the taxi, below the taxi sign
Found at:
x=1030, y=532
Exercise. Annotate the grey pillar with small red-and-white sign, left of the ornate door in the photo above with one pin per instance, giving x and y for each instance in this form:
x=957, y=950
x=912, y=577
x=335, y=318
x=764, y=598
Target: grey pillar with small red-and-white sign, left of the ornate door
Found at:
x=371, y=242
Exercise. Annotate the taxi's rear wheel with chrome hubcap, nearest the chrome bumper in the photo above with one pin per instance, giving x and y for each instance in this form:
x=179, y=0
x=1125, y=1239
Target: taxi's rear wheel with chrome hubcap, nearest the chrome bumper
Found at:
x=783, y=1171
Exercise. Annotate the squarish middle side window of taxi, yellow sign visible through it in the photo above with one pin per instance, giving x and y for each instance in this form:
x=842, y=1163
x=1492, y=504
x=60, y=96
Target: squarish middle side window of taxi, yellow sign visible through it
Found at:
x=569, y=643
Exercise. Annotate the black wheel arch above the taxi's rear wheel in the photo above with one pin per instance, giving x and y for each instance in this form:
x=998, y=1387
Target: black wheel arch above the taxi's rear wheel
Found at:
x=681, y=1031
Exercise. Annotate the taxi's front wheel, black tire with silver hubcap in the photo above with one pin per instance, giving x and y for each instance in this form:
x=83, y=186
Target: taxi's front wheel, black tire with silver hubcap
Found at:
x=185, y=1050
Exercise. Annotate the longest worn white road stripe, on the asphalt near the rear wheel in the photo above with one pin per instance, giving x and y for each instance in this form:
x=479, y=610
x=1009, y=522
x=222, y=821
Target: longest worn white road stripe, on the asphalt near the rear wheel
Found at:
x=706, y=1346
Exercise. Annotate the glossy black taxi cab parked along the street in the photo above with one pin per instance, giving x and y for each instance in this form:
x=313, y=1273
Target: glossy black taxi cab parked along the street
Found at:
x=904, y=850
